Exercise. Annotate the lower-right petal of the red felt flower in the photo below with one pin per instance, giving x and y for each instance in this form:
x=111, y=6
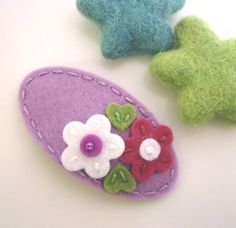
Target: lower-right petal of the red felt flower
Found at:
x=164, y=161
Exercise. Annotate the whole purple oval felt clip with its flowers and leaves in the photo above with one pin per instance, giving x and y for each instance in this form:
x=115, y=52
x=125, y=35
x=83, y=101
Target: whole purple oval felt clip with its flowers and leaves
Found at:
x=98, y=132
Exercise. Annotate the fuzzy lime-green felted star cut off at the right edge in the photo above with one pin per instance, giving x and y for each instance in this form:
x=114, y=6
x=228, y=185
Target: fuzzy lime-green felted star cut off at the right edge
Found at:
x=202, y=69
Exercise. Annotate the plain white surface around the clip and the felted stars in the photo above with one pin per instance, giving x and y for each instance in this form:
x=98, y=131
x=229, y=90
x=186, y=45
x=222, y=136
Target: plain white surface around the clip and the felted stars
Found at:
x=34, y=192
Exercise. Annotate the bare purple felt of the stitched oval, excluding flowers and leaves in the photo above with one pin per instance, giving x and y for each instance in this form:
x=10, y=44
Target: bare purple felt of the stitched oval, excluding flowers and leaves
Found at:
x=52, y=97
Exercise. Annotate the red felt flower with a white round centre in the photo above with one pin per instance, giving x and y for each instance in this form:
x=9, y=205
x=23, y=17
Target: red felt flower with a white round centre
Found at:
x=156, y=141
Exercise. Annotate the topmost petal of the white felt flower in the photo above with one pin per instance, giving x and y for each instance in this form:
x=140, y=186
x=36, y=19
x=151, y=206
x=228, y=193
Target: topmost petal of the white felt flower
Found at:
x=98, y=123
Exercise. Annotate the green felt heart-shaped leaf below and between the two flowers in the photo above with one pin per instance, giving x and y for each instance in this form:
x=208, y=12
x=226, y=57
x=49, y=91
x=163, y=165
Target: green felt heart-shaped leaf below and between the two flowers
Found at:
x=119, y=179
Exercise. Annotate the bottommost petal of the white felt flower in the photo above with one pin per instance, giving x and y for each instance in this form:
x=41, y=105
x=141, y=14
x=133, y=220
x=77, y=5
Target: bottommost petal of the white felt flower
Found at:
x=98, y=168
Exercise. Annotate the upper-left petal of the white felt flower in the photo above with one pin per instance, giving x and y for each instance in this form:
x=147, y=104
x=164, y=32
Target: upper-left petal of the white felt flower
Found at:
x=73, y=131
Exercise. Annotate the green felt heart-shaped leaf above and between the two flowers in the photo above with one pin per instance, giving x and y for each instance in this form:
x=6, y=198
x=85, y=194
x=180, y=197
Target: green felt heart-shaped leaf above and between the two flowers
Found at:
x=121, y=116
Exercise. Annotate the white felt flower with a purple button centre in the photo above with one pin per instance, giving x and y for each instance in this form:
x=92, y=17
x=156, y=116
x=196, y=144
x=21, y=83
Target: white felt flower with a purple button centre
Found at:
x=91, y=146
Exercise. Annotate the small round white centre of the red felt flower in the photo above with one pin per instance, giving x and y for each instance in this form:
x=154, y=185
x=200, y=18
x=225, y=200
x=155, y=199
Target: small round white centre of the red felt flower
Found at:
x=150, y=149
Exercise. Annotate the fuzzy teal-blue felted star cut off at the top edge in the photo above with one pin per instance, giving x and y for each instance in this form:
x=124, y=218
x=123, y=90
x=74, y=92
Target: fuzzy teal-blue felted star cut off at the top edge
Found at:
x=134, y=26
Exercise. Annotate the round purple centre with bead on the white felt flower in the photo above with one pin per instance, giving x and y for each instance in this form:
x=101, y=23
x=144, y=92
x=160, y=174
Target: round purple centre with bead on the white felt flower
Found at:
x=91, y=145
